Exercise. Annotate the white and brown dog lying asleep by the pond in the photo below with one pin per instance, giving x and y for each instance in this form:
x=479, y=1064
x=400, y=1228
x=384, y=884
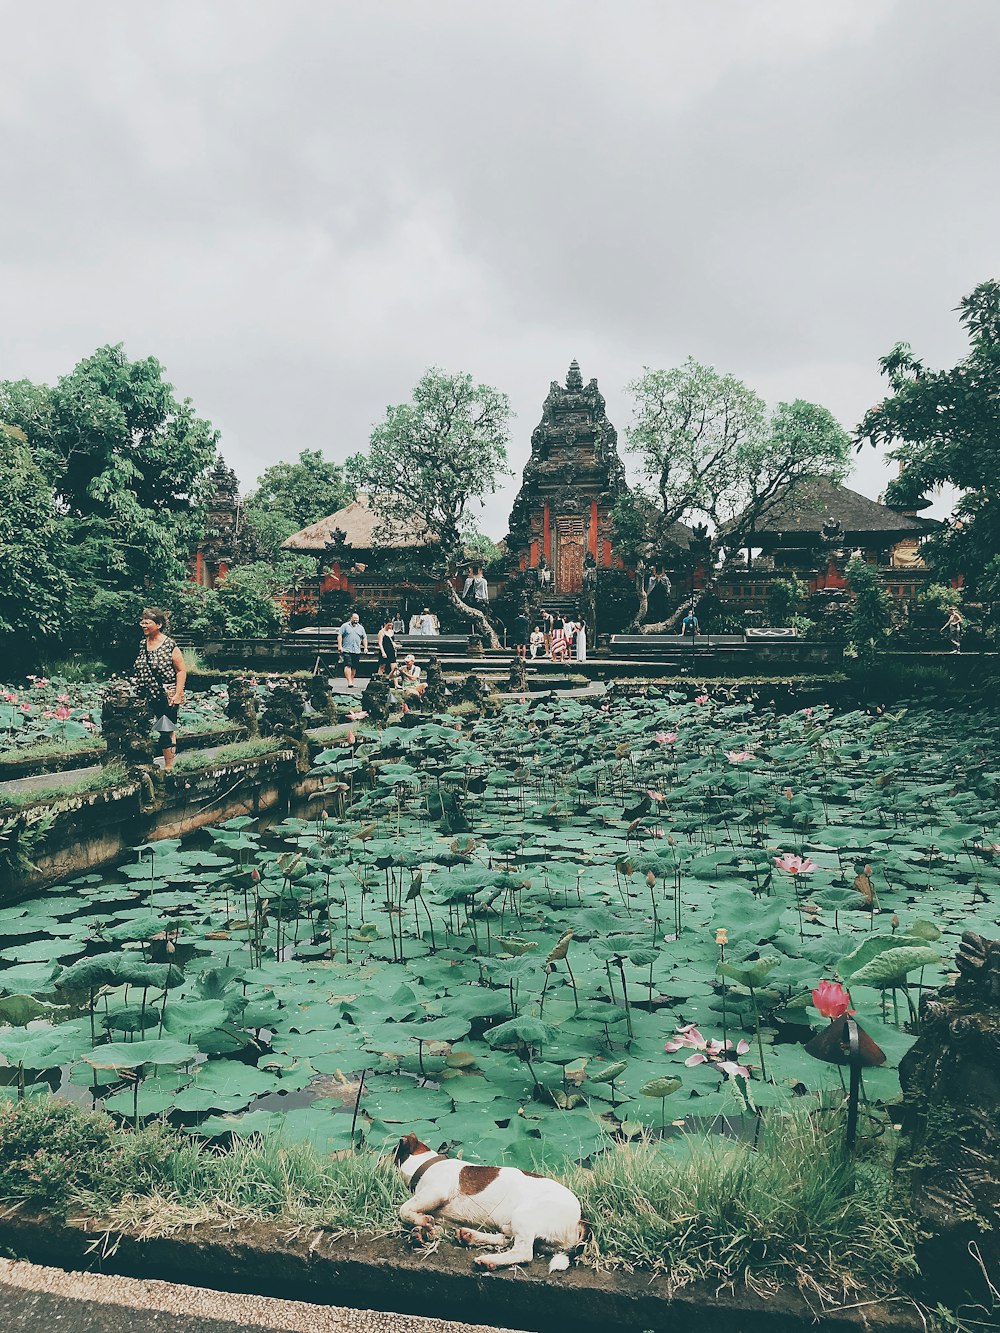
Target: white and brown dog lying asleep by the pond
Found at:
x=518, y=1204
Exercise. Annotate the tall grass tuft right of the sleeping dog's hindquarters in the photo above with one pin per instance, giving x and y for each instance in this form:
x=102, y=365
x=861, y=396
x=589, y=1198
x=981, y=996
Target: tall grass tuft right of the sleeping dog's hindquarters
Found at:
x=794, y=1211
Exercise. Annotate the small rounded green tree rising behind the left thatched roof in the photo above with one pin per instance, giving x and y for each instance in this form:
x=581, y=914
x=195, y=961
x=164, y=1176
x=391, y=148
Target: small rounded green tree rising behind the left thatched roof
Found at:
x=290, y=497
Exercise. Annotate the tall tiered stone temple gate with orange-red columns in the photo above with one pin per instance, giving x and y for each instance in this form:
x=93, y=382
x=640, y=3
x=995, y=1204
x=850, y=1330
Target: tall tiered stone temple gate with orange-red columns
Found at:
x=563, y=511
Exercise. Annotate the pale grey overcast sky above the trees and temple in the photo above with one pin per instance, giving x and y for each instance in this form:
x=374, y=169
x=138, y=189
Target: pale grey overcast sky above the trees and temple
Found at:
x=301, y=206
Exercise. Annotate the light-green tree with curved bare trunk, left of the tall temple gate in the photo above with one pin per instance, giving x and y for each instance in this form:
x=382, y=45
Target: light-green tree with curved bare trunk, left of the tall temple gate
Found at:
x=430, y=461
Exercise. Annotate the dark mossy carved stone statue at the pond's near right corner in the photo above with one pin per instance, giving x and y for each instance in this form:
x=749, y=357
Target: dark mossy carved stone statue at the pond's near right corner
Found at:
x=951, y=1120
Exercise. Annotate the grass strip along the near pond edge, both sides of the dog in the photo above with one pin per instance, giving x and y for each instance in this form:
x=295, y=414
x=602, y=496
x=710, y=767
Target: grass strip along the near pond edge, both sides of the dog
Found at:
x=795, y=1211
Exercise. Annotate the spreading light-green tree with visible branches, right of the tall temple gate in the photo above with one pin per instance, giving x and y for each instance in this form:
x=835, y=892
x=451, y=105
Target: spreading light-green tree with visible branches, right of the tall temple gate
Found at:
x=711, y=457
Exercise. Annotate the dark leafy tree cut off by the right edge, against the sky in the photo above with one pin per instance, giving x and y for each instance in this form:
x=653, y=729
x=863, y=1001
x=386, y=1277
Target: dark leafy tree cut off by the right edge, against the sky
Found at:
x=946, y=430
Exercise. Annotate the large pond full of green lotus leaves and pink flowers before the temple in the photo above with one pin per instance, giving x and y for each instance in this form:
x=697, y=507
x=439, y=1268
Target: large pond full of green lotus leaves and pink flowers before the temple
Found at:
x=494, y=931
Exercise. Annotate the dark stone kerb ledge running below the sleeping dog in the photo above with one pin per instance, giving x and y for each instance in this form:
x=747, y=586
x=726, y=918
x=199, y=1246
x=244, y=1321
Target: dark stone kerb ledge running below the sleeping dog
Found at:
x=385, y=1275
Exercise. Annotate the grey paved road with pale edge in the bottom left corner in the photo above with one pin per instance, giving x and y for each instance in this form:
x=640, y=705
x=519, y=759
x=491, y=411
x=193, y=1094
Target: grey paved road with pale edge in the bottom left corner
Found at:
x=47, y=1300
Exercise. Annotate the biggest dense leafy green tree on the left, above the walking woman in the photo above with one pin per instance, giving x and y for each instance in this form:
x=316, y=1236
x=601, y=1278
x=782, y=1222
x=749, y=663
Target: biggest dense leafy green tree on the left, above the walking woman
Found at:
x=126, y=462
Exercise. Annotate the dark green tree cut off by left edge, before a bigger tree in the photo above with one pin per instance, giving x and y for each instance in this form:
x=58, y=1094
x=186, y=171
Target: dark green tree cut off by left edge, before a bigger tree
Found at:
x=33, y=585
